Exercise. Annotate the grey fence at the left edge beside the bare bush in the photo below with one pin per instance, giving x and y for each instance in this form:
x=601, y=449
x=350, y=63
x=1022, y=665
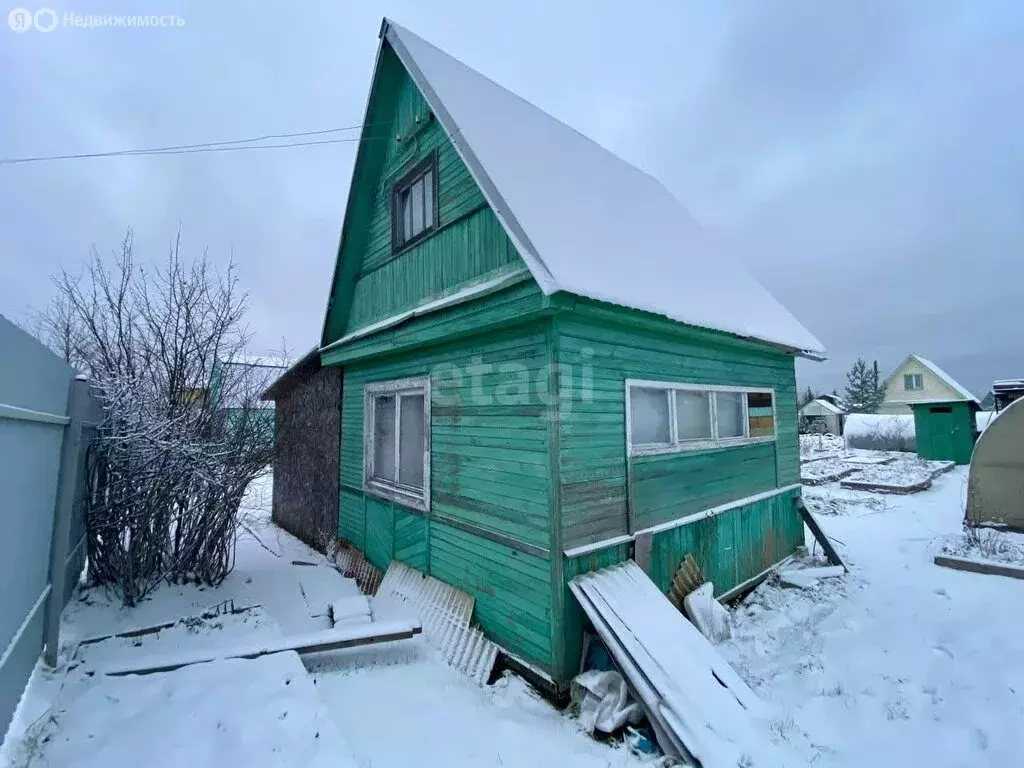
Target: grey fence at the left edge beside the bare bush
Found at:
x=35, y=387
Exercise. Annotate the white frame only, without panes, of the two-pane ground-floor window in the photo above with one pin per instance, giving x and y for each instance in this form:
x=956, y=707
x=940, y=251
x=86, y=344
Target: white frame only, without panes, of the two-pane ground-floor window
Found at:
x=405, y=495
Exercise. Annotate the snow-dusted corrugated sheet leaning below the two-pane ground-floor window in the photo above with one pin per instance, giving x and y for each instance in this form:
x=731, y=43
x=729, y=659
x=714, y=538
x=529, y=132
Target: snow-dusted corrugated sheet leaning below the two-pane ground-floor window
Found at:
x=445, y=614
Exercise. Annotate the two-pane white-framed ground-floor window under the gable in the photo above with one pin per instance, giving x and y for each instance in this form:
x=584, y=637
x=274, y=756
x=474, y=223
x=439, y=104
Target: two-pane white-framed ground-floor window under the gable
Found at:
x=397, y=441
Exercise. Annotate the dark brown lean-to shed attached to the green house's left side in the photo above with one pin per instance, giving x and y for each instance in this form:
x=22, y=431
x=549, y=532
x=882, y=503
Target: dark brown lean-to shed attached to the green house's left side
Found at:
x=308, y=438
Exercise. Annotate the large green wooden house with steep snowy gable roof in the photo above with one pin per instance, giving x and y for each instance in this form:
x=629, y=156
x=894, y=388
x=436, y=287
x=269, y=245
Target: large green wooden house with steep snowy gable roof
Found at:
x=547, y=367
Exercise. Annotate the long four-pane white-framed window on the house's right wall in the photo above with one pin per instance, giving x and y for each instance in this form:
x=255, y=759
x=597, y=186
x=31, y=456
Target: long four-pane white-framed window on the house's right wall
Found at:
x=663, y=417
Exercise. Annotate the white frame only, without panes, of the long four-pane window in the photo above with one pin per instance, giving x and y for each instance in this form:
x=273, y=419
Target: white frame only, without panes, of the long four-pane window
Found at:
x=676, y=446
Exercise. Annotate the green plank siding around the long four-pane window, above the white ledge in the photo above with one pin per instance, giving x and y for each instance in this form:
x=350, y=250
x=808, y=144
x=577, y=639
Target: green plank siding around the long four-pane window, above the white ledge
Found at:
x=599, y=349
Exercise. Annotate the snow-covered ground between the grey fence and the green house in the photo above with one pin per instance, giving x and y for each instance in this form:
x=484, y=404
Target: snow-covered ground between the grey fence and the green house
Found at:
x=395, y=704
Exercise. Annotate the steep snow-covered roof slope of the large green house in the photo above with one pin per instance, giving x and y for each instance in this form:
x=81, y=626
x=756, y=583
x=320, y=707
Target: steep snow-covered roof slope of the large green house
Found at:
x=584, y=221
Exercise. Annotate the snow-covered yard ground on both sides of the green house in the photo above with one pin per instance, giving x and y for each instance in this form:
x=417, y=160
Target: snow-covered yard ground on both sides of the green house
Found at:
x=899, y=663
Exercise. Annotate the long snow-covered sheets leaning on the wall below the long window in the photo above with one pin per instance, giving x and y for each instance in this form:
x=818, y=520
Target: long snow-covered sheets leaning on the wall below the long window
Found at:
x=700, y=707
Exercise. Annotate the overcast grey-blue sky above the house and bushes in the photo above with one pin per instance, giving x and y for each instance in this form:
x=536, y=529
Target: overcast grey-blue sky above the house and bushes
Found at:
x=867, y=155
